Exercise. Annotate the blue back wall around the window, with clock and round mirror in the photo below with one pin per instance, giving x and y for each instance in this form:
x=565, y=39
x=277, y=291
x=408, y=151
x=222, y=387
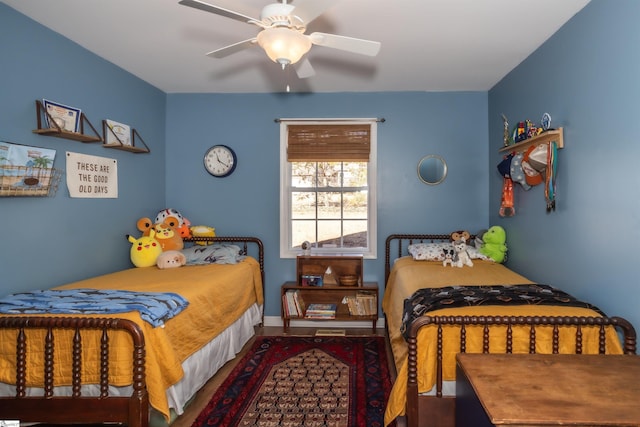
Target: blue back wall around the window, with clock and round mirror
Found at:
x=453, y=125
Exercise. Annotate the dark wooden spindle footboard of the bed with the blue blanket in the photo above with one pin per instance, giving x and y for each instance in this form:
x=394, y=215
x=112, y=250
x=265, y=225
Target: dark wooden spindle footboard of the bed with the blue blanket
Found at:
x=132, y=410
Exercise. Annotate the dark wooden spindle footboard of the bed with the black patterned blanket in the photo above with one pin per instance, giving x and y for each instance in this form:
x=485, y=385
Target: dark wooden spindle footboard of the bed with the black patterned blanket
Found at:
x=440, y=411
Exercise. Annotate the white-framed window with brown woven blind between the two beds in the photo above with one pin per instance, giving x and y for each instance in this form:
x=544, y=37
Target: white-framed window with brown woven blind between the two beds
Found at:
x=327, y=186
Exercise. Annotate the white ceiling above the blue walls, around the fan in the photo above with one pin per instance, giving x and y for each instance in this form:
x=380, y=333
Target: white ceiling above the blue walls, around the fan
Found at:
x=427, y=45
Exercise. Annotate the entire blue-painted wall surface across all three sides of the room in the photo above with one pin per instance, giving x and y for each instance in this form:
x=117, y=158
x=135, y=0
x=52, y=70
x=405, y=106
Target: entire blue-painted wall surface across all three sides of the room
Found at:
x=585, y=76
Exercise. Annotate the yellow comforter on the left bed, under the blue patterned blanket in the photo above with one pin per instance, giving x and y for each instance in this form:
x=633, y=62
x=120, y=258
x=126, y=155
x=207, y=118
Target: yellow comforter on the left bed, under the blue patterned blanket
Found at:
x=218, y=295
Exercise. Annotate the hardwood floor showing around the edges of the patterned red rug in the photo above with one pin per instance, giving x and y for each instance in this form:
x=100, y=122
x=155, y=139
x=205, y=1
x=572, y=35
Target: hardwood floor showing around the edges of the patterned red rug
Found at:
x=205, y=393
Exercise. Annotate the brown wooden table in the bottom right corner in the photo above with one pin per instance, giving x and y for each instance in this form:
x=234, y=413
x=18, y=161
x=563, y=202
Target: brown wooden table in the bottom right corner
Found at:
x=543, y=390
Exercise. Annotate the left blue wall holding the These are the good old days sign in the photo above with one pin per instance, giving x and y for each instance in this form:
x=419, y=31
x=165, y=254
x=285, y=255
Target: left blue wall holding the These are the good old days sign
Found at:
x=51, y=241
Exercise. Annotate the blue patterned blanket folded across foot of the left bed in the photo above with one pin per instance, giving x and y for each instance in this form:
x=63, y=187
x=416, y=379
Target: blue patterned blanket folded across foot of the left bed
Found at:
x=154, y=307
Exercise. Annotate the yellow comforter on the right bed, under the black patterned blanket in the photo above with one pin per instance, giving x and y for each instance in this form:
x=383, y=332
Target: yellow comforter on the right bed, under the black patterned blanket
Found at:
x=407, y=276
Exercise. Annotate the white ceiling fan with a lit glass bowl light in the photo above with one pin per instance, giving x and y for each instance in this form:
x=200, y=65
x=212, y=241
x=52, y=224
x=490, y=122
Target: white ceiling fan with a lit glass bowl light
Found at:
x=282, y=36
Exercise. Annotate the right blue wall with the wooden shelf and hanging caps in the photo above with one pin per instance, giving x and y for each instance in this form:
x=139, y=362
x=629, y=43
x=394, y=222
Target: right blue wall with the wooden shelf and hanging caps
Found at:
x=586, y=76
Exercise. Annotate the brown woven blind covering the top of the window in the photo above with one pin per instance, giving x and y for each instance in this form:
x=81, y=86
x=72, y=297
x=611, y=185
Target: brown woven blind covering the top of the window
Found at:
x=328, y=142
